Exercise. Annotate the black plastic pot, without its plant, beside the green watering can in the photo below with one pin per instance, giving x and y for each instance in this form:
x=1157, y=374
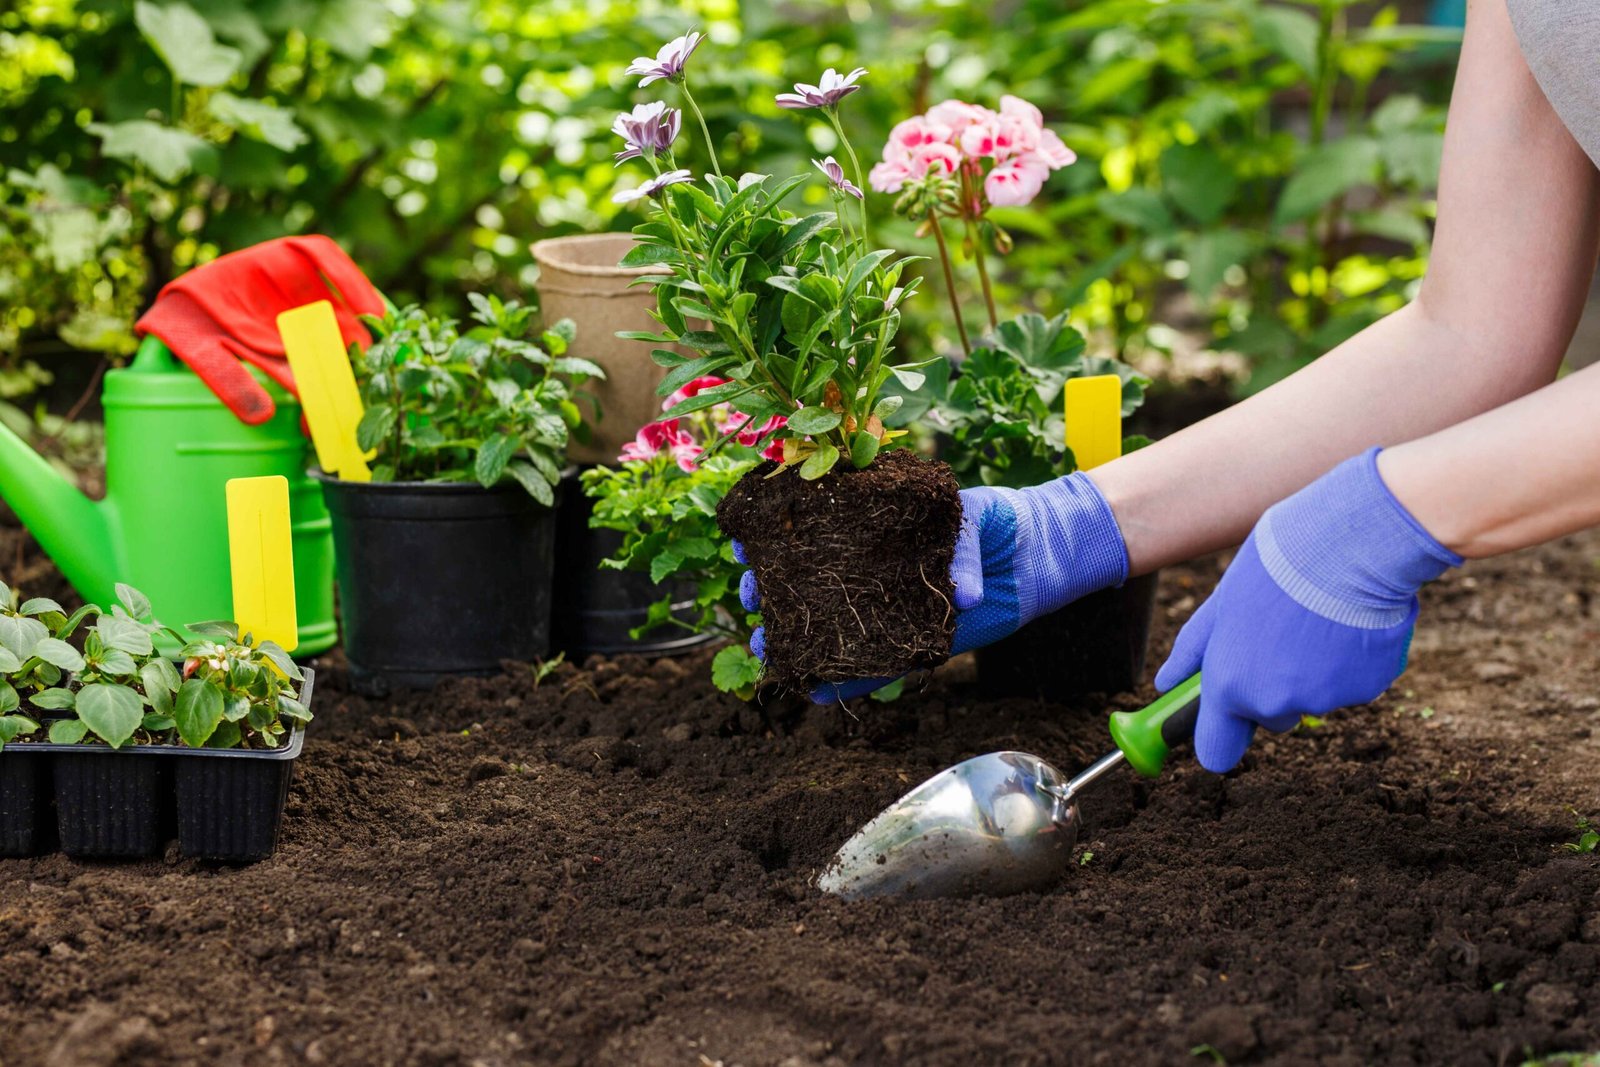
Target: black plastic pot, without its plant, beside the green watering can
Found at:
x=439, y=580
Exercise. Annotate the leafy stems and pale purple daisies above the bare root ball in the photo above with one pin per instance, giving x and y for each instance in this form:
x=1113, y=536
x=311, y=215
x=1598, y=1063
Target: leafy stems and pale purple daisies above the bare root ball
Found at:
x=802, y=313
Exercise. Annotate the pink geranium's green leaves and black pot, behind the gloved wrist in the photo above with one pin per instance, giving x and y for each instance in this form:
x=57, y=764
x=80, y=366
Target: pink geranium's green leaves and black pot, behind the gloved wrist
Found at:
x=1002, y=418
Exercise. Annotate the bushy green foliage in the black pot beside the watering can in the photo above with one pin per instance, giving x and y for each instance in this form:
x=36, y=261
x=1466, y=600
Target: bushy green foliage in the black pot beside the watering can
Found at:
x=489, y=404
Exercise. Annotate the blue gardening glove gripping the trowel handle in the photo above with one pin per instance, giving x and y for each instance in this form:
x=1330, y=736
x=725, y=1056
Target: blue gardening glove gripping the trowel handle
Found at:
x=1314, y=613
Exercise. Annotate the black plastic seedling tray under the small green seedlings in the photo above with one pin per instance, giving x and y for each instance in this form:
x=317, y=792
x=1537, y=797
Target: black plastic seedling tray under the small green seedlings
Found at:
x=121, y=804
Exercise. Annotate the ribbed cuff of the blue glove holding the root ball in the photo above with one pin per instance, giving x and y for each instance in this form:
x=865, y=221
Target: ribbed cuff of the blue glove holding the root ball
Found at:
x=1079, y=545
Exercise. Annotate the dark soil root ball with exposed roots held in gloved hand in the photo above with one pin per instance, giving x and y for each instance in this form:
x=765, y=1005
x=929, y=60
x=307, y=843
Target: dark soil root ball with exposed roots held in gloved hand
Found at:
x=854, y=569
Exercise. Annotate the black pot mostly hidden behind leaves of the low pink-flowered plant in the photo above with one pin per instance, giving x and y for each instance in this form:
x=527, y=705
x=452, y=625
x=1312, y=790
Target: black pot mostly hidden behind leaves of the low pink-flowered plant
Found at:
x=594, y=609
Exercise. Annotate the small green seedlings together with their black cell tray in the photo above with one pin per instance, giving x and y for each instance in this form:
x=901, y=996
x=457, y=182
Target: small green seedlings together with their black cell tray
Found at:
x=129, y=733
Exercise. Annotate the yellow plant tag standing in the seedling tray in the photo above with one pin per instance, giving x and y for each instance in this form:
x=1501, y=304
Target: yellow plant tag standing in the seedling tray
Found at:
x=262, y=551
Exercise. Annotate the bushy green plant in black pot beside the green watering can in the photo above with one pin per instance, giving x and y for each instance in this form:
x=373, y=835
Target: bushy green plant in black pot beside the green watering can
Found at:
x=470, y=428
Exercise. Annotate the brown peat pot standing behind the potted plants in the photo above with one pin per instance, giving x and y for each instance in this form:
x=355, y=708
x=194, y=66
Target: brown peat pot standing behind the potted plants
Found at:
x=580, y=279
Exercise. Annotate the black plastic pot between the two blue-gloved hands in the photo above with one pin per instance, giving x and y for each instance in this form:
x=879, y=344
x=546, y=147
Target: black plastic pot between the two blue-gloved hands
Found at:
x=1094, y=645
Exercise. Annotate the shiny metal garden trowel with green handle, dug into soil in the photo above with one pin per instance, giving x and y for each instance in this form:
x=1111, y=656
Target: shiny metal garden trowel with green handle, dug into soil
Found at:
x=1001, y=823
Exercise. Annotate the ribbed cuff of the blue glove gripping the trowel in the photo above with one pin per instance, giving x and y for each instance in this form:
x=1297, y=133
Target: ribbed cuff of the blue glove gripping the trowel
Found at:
x=1346, y=549
